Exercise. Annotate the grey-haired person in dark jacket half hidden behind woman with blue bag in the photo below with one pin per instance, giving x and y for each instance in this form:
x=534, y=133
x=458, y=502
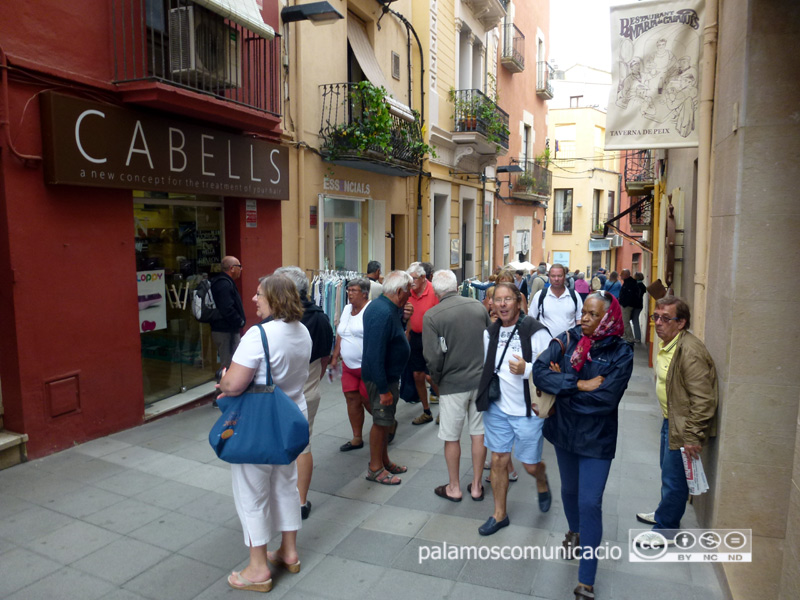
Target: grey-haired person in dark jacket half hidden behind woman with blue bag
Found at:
x=319, y=327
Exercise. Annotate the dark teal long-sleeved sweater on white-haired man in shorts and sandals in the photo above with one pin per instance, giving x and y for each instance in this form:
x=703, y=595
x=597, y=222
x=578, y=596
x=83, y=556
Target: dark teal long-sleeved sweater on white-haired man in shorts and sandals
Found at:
x=386, y=348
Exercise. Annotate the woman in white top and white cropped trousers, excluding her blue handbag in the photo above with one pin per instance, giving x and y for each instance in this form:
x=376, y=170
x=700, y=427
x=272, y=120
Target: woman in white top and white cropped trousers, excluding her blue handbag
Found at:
x=266, y=496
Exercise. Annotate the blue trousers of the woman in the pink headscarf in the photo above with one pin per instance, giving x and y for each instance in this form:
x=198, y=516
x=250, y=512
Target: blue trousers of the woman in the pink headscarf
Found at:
x=583, y=481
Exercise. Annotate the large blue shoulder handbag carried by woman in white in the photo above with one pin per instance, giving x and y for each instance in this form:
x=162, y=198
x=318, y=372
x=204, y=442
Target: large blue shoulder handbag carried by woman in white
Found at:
x=262, y=426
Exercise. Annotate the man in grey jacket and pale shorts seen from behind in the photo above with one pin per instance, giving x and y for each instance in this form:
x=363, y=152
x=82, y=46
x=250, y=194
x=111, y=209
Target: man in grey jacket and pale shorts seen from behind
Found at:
x=452, y=342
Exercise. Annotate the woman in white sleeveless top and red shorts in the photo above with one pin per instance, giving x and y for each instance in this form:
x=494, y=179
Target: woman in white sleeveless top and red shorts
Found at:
x=350, y=347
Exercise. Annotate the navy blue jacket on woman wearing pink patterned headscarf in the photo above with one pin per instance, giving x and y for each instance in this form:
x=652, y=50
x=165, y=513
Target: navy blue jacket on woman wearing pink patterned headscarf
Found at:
x=585, y=423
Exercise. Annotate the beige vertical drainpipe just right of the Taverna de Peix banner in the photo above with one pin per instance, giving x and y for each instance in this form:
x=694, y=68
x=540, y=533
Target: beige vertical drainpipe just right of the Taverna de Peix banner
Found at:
x=704, y=161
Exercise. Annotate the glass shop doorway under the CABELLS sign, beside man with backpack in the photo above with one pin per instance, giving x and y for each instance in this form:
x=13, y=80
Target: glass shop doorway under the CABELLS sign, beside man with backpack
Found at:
x=178, y=244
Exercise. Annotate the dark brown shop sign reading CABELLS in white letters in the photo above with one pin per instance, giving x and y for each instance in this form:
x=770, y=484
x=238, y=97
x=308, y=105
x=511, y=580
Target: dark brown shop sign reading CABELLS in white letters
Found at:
x=102, y=145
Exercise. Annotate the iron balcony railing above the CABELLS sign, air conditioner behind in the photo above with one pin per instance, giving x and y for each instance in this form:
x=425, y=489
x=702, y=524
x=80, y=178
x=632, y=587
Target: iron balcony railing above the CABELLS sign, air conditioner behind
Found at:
x=183, y=44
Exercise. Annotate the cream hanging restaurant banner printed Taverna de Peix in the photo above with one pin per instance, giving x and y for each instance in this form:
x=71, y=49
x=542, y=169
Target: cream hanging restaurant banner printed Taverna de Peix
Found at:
x=656, y=48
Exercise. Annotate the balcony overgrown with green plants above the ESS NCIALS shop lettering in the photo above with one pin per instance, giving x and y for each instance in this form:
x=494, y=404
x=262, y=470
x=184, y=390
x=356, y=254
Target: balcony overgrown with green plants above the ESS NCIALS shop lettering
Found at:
x=364, y=129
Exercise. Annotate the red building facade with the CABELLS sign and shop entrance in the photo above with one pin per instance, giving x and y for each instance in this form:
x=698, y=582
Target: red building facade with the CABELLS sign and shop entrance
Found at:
x=140, y=144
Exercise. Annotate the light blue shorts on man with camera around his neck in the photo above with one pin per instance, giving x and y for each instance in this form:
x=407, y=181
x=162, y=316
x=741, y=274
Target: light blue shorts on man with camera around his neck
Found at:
x=504, y=432
